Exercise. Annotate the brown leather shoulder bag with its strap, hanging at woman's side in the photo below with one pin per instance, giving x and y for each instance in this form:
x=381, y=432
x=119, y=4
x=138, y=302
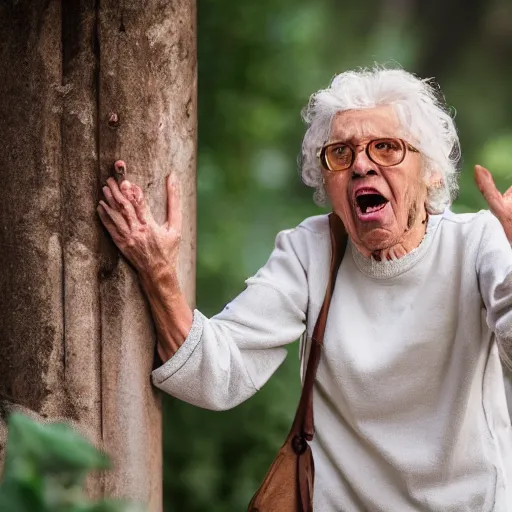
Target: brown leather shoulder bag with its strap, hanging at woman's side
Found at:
x=288, y=484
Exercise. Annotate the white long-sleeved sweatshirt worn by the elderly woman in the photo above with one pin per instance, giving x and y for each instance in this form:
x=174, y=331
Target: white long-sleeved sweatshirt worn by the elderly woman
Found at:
x=409, y=401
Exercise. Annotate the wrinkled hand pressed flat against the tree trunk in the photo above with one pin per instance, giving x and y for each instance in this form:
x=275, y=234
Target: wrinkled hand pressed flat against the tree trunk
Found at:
x=148, y=246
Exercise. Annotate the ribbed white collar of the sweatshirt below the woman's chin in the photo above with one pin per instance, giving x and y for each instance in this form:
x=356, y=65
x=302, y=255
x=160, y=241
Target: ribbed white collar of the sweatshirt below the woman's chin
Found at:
x=391, y=268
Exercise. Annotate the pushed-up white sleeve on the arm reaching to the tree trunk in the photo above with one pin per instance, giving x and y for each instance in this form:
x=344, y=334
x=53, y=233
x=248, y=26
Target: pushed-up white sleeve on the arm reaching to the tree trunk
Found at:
x=227, y=358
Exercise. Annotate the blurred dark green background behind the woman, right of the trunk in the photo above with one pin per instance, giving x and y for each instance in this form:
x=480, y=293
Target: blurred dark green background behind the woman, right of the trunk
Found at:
x=259, y=60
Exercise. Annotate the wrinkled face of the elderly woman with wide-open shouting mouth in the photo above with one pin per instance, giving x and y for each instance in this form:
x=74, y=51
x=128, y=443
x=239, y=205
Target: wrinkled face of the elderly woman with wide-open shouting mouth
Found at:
x=380, y=206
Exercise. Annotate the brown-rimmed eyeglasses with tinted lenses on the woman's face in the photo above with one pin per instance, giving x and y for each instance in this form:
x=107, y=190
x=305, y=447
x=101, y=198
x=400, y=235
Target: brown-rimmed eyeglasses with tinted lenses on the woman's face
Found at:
x=339, y=156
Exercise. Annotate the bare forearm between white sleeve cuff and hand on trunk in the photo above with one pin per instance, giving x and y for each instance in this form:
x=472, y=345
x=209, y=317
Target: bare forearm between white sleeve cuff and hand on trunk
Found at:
x=171, y=313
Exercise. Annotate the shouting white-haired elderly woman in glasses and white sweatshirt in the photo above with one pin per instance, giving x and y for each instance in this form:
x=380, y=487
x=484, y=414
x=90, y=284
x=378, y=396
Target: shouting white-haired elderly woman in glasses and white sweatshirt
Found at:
x=409, y=399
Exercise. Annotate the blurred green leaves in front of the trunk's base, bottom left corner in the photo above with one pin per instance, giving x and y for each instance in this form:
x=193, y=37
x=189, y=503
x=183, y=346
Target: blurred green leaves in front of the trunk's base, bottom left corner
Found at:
x=45, y=469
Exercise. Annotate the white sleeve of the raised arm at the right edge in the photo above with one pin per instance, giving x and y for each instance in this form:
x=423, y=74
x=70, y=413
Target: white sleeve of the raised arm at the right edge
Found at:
x=494, y=269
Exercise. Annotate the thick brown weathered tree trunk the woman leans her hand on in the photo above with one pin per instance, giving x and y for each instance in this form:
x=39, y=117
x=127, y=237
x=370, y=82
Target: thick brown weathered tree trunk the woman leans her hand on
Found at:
x=84, y=83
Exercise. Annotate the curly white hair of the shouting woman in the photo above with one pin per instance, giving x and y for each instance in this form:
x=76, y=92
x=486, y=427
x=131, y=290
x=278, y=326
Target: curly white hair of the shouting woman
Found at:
x=421, y=110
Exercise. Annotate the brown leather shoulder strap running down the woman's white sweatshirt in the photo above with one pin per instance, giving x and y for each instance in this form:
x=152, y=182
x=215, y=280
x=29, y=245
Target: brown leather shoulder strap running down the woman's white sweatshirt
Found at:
x=303, y=423
